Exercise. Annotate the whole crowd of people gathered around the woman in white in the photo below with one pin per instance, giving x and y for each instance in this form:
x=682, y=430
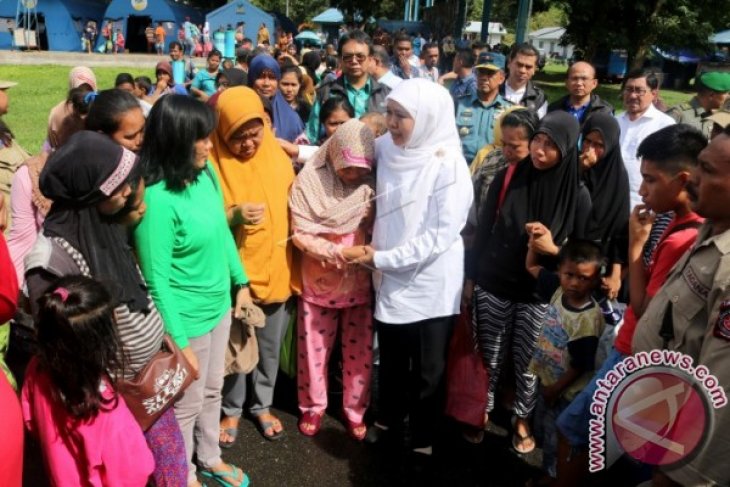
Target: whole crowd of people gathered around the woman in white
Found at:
x=348, y=199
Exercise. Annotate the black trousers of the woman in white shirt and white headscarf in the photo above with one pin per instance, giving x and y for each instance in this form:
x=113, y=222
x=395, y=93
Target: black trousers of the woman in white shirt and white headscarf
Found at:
x=412, y=365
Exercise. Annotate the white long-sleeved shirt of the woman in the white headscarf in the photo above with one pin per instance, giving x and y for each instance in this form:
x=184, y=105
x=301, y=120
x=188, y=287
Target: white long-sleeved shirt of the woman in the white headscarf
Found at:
x=419, y=252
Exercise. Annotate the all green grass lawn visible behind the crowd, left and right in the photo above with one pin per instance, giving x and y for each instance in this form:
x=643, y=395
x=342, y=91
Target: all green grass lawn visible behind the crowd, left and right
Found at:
x=41, y=87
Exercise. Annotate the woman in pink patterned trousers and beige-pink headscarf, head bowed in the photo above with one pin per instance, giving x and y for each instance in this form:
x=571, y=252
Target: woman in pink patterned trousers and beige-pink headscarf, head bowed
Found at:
x=331, y=208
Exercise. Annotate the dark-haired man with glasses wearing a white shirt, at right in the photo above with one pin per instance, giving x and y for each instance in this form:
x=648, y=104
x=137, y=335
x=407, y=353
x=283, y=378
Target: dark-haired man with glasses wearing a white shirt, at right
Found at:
x=640, y=119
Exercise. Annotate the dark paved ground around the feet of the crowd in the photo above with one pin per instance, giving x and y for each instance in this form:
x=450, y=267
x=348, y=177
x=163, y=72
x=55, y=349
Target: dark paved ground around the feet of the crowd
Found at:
x=333, y=459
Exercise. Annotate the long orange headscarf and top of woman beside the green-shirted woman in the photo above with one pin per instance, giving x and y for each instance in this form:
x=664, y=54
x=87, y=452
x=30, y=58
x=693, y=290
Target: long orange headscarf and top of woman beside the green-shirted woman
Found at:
x=266, y=248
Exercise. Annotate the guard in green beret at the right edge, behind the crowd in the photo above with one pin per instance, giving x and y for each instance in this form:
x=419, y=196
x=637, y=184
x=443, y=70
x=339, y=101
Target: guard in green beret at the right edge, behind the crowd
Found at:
x=713, y=92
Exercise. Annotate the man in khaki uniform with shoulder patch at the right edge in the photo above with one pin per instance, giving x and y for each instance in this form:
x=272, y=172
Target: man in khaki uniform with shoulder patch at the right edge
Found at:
x=698, y=290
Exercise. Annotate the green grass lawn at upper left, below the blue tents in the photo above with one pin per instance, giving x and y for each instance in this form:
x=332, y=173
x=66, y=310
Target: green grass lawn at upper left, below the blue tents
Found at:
x=39, y=89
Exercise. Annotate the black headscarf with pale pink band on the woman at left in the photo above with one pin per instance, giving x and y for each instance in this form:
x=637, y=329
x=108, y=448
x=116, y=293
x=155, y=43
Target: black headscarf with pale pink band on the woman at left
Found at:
x=85, y=171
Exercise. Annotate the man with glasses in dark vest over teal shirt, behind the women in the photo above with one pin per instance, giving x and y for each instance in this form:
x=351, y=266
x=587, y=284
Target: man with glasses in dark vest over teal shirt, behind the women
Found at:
x=363, y=92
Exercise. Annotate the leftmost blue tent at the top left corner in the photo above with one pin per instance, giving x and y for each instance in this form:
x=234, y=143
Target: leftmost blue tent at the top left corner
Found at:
x=61, y=22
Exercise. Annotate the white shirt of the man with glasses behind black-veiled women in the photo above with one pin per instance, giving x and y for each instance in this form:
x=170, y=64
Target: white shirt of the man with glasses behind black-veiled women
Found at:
x=632, y=134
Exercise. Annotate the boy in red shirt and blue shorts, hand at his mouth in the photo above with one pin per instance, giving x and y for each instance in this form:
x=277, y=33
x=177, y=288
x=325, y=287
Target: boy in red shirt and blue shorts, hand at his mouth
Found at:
x=667, y=158
